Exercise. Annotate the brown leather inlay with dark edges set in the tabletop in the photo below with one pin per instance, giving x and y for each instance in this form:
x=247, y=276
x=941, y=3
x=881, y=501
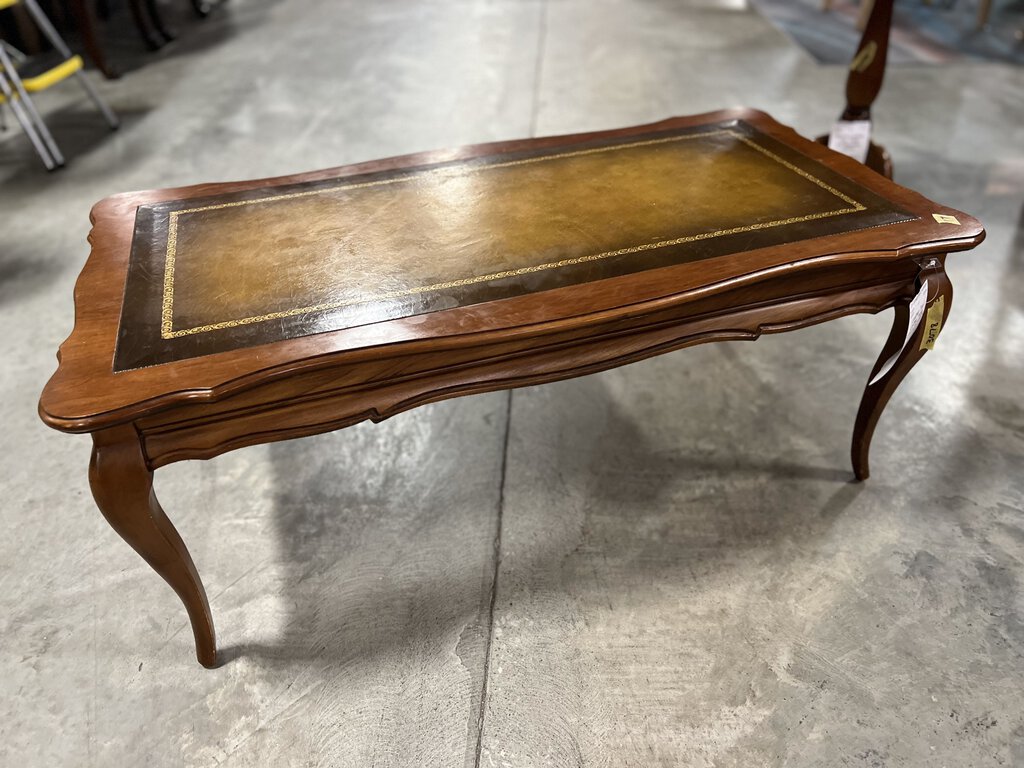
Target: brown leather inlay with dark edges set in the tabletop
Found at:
x=226, y=272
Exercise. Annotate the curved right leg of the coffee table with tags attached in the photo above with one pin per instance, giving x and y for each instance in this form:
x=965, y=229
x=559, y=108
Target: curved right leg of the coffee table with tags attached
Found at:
x=907, y=352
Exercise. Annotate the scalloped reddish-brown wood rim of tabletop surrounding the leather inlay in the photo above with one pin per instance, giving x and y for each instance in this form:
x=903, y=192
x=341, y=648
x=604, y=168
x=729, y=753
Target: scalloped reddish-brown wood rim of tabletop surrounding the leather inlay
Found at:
x=86, y=395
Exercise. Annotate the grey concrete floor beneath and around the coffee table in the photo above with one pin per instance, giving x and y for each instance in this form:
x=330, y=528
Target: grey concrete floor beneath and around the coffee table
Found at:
x=685, y=575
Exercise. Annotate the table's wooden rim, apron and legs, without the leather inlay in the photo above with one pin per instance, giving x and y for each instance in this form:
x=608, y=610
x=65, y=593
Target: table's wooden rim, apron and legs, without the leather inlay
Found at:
x=199, y=408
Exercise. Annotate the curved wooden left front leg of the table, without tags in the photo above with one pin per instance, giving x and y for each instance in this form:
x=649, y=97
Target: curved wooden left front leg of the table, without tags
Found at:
x=122, y=486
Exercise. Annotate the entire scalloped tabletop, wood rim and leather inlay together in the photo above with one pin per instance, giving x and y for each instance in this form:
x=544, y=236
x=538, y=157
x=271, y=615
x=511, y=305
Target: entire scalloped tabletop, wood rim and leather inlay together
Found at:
x=191, y=294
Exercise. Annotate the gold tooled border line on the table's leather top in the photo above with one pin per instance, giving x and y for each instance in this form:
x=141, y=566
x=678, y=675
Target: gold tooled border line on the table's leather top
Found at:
x=167, y=306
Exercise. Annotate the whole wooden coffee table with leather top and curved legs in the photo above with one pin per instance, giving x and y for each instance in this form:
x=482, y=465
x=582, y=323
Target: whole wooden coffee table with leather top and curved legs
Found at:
x=215, y=317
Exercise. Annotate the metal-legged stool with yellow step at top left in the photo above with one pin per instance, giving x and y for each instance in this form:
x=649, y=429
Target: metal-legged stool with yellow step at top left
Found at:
x=15, y=90
